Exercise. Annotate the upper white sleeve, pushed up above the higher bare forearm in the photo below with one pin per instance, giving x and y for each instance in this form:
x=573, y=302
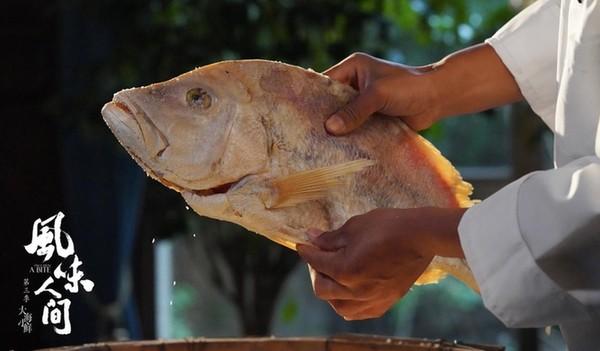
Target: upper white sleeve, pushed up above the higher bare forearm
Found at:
x=528, y=47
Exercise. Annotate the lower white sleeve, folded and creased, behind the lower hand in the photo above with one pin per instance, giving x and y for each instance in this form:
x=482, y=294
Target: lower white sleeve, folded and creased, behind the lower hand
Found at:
x=534, y=247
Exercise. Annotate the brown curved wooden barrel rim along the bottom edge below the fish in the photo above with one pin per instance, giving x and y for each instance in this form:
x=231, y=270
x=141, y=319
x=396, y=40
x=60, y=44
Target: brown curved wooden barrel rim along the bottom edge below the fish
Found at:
x=334, y=343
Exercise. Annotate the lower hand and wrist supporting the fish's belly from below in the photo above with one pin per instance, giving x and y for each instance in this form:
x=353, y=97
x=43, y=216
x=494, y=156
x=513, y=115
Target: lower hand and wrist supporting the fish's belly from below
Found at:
x=366, y=265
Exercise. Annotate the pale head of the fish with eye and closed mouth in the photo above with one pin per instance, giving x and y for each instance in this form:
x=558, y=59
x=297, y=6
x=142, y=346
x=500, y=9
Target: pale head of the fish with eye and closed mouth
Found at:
x=194, y=132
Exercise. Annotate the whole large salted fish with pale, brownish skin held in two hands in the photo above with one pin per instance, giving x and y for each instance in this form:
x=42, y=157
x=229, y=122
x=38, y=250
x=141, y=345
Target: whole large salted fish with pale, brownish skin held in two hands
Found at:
x=244, y=141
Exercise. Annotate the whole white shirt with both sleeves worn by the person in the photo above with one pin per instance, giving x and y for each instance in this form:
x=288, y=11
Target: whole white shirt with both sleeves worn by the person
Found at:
x=534, y=246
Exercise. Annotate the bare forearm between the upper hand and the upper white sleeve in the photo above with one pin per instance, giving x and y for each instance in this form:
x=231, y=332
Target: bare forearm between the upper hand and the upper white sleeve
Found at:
x=471, y=80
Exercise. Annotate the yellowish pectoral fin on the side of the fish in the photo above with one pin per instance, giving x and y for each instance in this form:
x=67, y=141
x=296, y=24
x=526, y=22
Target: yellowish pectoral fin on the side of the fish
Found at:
x=309, y=185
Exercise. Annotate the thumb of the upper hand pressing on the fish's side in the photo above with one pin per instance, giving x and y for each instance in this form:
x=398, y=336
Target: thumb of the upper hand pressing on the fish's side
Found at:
x=354, y=114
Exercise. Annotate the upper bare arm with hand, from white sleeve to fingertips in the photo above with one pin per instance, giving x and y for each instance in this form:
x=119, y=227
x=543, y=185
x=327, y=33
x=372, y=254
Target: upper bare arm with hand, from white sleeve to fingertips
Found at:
x=469, y=80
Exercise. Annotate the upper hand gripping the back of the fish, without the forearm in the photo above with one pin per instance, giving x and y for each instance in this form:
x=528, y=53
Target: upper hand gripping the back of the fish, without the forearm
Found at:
x=384, y=87
